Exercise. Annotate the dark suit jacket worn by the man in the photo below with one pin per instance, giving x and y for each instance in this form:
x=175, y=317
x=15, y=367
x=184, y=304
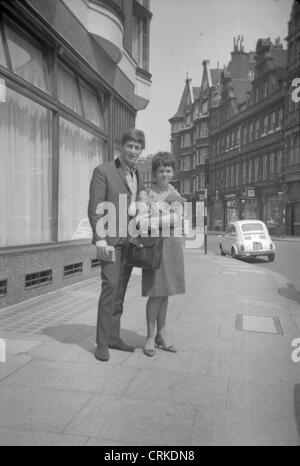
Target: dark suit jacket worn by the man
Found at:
x=108, y=182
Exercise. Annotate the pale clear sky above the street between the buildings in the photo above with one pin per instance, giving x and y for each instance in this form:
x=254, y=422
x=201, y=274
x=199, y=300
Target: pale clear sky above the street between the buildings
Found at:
x=184, y=33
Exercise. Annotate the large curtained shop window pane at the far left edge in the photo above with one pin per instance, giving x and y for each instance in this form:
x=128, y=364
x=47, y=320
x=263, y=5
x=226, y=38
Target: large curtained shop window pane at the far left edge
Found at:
x=25, y=175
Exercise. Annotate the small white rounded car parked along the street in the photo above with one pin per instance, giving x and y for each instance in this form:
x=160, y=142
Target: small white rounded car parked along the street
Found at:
x=247, y=238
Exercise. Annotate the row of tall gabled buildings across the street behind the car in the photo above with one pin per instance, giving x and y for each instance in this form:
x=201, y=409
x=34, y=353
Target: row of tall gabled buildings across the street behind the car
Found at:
x=244, y=121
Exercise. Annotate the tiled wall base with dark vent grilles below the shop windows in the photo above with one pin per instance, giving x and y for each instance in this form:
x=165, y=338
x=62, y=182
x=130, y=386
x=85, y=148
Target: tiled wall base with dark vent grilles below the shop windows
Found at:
x=25, y=275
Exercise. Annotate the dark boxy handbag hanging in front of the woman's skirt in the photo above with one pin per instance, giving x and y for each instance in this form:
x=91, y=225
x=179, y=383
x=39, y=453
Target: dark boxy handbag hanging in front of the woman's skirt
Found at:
x=145, y=252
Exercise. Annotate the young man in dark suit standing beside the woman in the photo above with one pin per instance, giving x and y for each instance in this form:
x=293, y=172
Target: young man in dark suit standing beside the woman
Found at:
x=112, y=181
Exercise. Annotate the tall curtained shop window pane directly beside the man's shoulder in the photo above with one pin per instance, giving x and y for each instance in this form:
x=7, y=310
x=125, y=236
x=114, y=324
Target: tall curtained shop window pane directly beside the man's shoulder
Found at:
x=80, y=153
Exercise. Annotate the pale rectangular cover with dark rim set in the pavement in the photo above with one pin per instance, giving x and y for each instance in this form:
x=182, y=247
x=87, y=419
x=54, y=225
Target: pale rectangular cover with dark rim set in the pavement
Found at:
x=259, y=324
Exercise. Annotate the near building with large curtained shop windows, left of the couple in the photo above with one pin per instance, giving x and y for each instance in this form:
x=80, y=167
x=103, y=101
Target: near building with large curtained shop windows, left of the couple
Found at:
x=73, y=75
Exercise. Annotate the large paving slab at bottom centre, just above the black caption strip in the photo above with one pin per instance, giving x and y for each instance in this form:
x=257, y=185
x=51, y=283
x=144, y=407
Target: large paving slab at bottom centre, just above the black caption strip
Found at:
x=120, y=419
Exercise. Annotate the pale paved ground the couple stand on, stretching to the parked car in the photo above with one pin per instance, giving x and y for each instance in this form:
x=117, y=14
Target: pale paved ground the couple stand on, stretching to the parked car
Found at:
x=232, y=382
